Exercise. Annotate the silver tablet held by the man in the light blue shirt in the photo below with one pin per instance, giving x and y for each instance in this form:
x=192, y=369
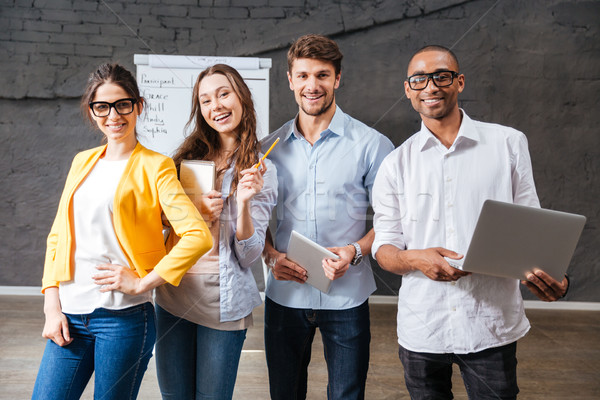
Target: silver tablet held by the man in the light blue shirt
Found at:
x=309, y=255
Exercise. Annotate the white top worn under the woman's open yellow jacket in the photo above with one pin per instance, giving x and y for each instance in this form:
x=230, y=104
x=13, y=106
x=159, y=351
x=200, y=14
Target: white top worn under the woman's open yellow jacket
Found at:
x=96, y=243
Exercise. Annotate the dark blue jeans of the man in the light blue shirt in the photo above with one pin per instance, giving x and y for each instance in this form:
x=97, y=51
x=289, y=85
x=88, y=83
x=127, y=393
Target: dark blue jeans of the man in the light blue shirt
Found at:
x=289, y=334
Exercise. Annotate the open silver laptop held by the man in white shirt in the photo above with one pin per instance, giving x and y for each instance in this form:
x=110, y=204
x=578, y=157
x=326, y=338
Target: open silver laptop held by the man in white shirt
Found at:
x=511, y=240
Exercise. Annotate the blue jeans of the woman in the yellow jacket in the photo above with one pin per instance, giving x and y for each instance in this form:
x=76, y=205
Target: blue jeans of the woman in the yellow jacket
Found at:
x=115, y=344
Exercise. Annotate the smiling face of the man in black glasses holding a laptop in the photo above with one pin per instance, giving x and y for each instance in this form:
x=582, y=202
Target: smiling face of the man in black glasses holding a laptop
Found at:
x=433, y=102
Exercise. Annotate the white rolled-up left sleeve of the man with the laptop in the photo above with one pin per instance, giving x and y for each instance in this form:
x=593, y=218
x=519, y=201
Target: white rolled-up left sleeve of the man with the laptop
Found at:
x=387, y=222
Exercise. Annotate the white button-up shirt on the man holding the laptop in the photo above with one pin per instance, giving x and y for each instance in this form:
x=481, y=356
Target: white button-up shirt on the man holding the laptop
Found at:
x=426, y=195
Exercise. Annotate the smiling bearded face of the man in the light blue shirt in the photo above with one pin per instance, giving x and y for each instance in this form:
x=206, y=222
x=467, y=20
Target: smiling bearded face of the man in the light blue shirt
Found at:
x=313, y=82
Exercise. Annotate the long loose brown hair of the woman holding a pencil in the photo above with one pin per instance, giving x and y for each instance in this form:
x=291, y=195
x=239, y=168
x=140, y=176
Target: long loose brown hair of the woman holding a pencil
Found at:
x=203, y=142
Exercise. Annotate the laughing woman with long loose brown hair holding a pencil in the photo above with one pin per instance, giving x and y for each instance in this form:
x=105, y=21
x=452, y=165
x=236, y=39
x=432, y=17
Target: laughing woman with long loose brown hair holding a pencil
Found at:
x=202, y=323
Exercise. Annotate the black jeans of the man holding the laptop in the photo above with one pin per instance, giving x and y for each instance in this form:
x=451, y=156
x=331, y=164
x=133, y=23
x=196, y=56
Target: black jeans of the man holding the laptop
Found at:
x=487, y=374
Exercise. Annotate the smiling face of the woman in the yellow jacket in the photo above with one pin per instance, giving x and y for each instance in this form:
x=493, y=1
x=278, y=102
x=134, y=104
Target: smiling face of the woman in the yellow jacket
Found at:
x=117, y=128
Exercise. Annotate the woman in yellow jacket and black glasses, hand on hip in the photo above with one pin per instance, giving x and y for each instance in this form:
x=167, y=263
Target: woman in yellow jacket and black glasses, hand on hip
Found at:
x=106, y=251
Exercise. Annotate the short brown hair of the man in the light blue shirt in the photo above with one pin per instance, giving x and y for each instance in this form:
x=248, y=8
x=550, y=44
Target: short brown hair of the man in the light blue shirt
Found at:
x=317, y=47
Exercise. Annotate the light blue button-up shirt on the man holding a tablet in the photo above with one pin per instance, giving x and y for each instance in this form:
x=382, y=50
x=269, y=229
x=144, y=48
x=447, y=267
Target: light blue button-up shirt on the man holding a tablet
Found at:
x=324, y=192
